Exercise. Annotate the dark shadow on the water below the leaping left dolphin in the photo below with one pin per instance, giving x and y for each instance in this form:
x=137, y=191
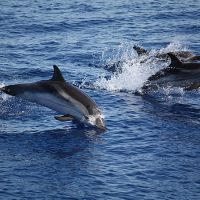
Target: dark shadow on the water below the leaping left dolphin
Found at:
x=49, y=144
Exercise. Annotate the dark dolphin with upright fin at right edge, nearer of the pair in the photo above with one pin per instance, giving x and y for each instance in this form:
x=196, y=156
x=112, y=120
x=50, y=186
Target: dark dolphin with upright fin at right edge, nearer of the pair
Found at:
x=177, y=74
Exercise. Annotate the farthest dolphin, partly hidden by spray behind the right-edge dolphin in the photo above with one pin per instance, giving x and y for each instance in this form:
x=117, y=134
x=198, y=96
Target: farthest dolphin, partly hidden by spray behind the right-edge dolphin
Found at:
x=186, y=56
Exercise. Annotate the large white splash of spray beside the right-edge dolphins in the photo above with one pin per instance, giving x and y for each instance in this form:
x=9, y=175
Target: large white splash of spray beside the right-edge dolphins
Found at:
x=135, y=70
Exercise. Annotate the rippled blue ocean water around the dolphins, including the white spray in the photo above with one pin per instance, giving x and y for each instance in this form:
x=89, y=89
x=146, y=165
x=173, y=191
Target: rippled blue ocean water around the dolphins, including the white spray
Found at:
x=152, y=147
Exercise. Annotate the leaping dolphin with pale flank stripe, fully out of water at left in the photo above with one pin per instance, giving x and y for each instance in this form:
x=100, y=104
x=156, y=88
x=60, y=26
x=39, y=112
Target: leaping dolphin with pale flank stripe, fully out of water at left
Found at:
x=59, y=95
